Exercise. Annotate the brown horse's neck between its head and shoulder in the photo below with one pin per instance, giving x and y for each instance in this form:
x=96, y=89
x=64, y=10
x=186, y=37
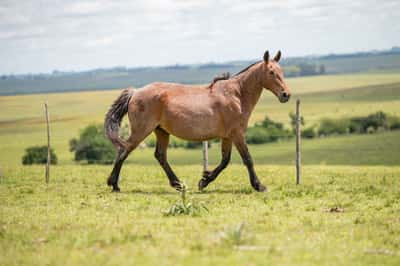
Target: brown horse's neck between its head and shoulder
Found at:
x=250, y=88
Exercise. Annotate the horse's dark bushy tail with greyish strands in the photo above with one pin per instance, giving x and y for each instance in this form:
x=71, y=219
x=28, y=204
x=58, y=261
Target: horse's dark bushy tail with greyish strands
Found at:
x=114, y=117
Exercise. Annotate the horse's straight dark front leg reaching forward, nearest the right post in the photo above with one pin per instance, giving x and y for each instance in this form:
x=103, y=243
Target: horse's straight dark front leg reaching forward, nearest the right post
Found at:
x=240, y=143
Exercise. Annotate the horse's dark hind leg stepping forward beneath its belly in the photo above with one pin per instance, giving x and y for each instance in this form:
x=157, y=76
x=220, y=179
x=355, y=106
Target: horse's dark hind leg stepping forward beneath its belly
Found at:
x=161, y=156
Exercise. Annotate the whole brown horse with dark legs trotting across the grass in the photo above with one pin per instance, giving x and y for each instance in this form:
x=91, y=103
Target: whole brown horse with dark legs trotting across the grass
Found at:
x=198, y=113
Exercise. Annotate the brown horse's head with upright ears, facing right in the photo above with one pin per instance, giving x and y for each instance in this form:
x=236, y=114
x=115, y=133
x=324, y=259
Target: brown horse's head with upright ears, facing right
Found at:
x=272, y=77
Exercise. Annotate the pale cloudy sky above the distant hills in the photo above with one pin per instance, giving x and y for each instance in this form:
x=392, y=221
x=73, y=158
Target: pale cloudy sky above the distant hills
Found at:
x=42, y=36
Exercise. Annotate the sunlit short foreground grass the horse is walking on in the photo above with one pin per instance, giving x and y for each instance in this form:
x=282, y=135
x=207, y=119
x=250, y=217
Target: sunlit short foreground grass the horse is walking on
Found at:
x=338, y=216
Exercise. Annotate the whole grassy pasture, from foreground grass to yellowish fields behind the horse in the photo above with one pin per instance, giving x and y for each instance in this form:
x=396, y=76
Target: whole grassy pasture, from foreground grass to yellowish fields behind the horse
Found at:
x=345, y=212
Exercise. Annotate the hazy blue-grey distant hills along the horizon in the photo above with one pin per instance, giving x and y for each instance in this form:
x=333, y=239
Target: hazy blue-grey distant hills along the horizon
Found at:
x=120, y=77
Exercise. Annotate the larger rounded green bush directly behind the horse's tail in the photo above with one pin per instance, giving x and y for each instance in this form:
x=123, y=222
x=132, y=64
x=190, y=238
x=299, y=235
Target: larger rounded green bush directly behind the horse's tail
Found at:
x=92, y=146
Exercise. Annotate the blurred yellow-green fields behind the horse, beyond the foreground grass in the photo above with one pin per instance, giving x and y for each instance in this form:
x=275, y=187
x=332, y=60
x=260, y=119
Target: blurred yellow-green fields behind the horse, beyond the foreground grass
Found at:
x=327, y=96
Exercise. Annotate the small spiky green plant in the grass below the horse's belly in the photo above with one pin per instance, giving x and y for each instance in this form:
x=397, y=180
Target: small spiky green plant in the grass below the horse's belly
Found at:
x=186, y=206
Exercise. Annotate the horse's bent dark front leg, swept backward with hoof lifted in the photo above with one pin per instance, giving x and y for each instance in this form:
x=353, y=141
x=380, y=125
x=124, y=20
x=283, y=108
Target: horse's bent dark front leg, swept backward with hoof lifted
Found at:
x=208, y=177
